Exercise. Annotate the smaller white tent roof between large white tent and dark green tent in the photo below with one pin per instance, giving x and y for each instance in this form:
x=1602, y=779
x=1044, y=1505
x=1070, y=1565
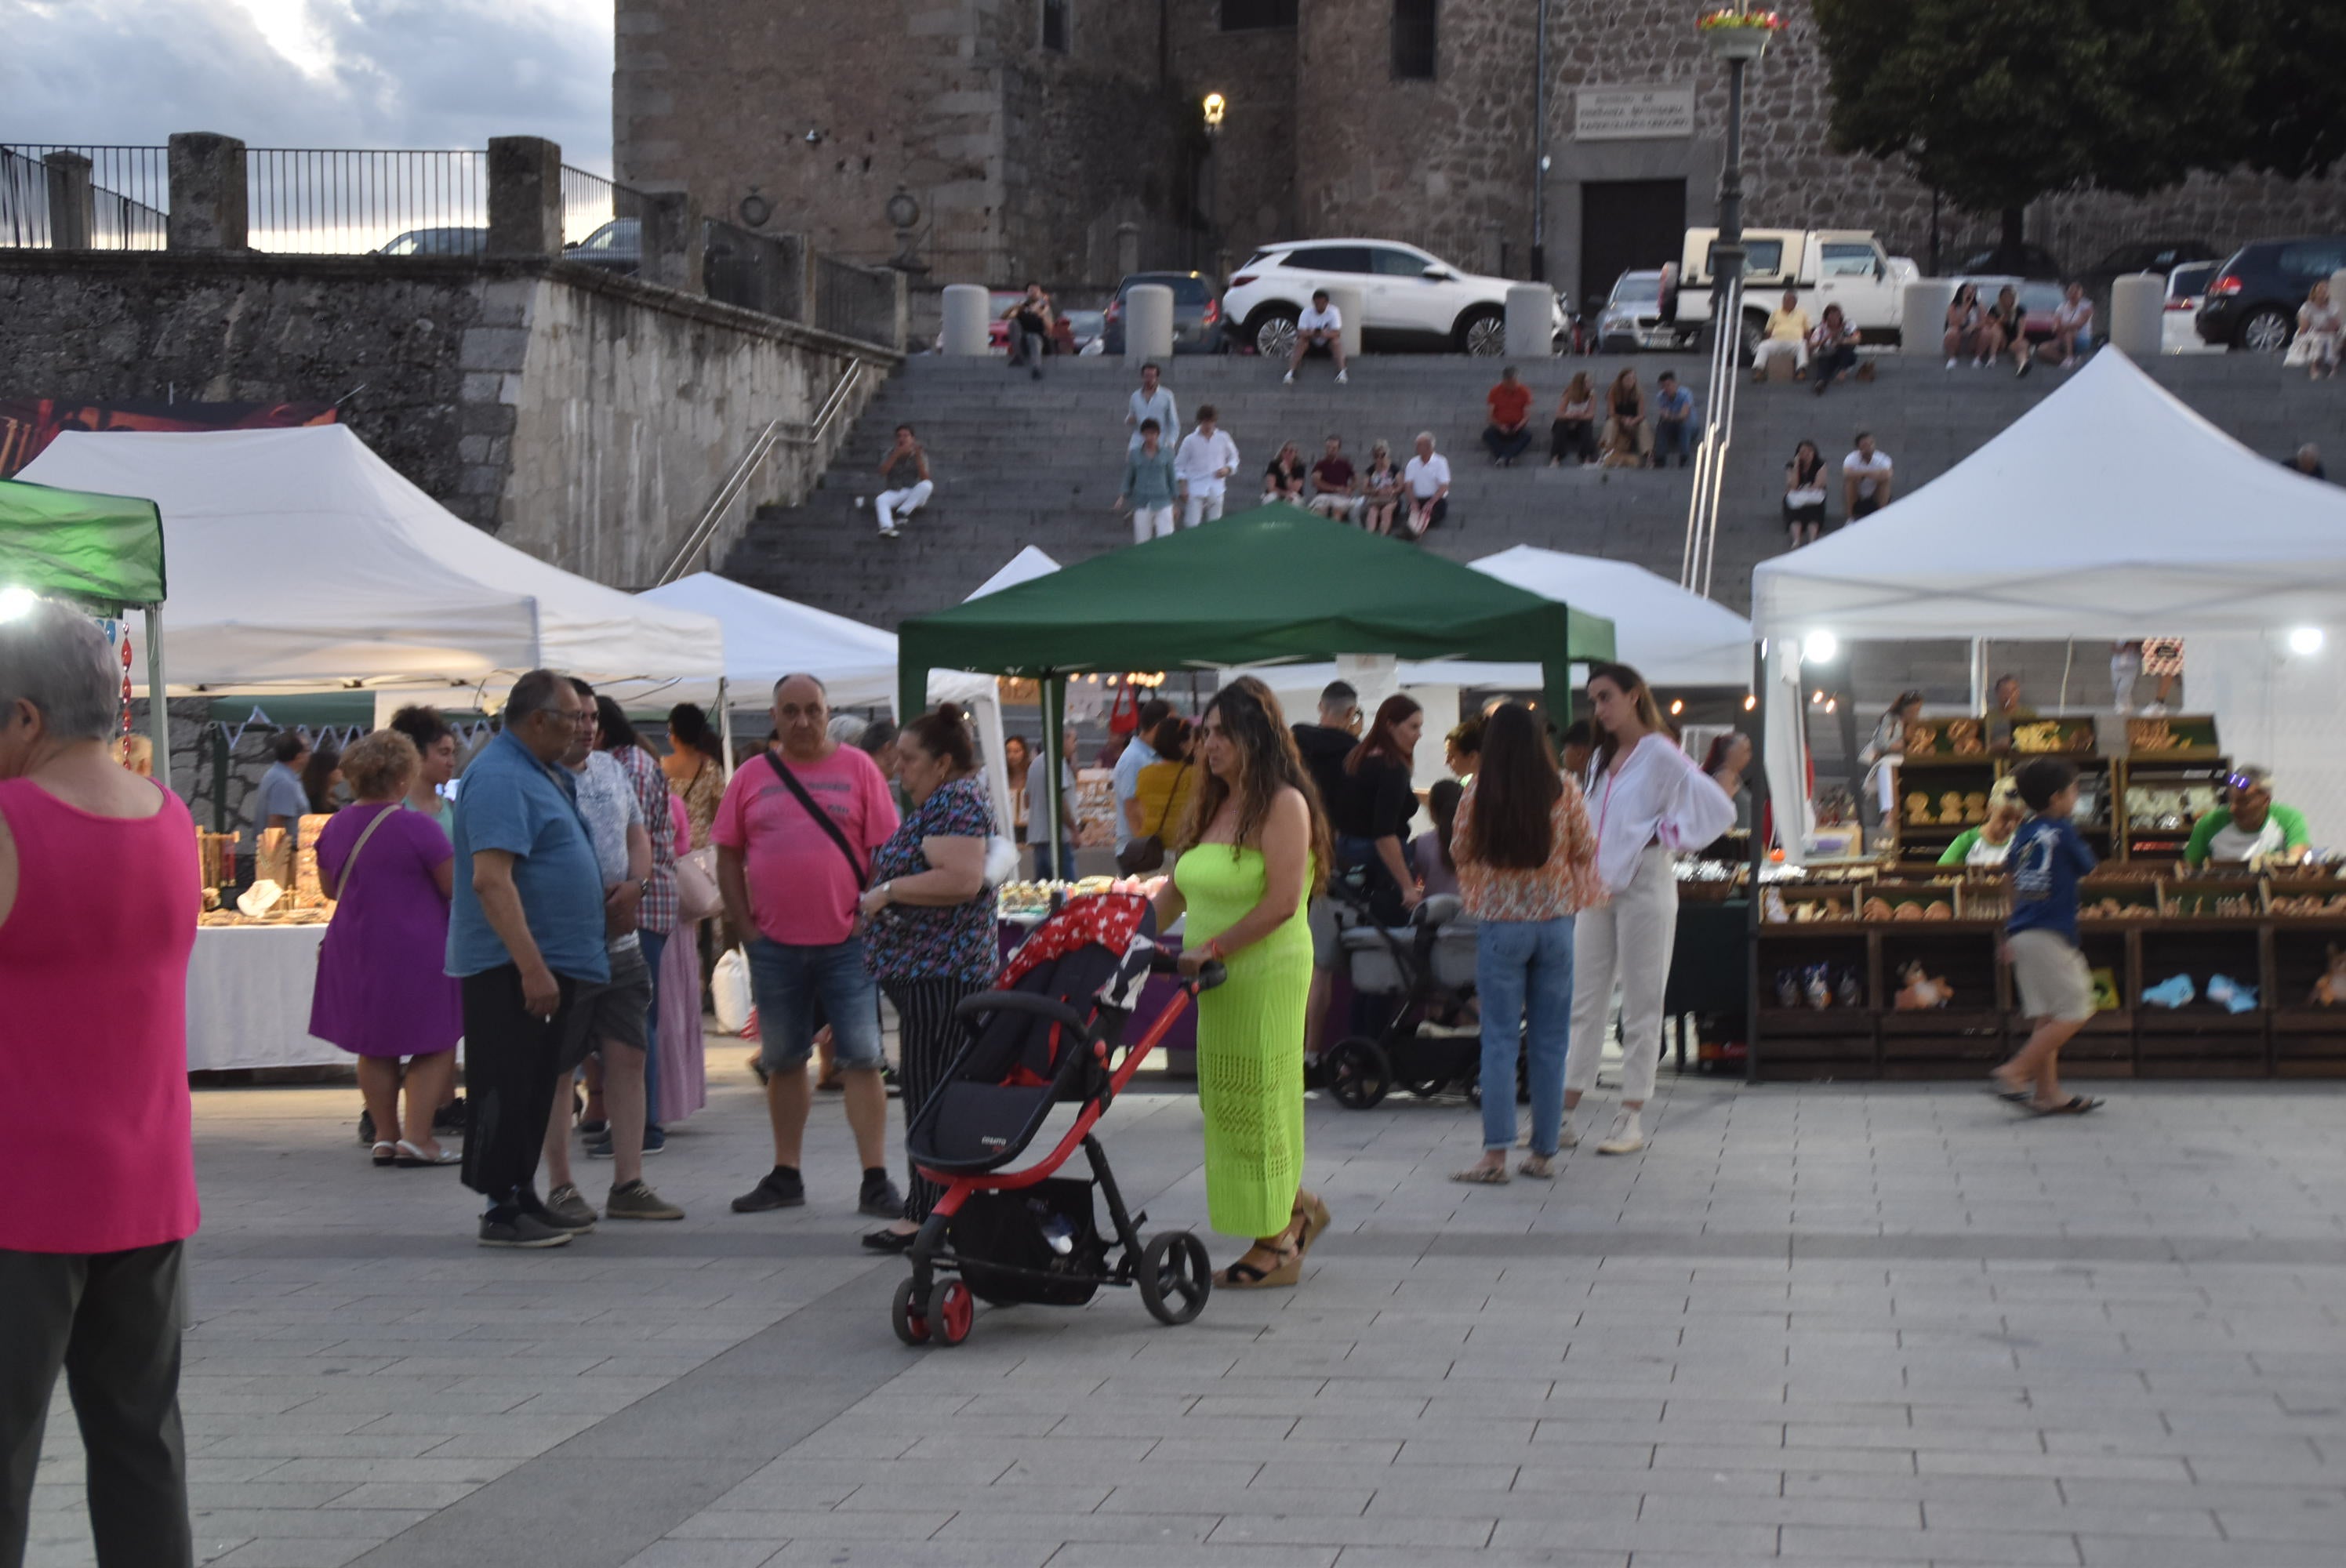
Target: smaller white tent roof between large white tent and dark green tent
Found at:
x=768, y=640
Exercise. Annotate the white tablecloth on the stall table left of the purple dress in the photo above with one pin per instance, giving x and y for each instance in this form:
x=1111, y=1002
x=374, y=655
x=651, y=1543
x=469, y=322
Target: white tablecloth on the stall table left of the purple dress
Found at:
x=250, y=999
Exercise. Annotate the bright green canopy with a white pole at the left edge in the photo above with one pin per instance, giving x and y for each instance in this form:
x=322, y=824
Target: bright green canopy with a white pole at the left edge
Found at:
x=97, y=550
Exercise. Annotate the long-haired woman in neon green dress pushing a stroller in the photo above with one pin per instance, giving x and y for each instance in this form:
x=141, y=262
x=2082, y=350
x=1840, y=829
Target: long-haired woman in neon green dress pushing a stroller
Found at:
x=1254, y=849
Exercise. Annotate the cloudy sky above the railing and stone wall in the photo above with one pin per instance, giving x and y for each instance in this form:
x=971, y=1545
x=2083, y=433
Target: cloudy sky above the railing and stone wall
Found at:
x=311, y=74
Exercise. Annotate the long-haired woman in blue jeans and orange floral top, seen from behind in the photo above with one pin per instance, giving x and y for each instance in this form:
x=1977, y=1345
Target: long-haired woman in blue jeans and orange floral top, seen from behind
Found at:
x=1528, y=863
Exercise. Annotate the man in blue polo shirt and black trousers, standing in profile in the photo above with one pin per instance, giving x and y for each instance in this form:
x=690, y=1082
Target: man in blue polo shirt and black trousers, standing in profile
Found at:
x=524, y=938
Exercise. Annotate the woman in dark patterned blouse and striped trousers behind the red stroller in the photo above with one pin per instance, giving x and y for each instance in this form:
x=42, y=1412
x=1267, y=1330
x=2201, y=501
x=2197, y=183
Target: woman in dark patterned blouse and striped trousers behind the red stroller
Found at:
x=930, y=921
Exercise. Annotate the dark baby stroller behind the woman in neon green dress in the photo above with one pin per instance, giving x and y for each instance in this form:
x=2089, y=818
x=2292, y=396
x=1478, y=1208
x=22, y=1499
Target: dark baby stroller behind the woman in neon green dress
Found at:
x=1425, y=978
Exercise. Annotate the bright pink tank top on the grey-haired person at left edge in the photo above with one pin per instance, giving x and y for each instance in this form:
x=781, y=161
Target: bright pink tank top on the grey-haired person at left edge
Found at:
x=95, y=1126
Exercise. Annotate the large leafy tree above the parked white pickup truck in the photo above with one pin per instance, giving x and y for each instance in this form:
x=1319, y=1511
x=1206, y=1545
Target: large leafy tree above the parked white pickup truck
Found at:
x=2000, y=102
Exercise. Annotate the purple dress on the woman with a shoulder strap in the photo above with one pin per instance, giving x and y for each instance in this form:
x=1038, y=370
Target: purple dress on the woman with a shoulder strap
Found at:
x=381, y=971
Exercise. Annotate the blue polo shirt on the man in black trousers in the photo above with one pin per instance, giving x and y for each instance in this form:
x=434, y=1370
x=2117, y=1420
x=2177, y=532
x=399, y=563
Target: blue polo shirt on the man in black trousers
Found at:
x=517, y=804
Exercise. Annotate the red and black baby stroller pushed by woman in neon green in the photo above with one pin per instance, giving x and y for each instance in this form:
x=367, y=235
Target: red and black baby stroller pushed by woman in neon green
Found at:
x=1047, y=1036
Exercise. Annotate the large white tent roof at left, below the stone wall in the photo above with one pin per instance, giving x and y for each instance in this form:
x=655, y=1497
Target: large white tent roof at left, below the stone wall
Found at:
x=299, y=560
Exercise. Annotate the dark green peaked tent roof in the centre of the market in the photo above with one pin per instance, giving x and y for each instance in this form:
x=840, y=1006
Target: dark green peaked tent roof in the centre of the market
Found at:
x=1259, y=588
